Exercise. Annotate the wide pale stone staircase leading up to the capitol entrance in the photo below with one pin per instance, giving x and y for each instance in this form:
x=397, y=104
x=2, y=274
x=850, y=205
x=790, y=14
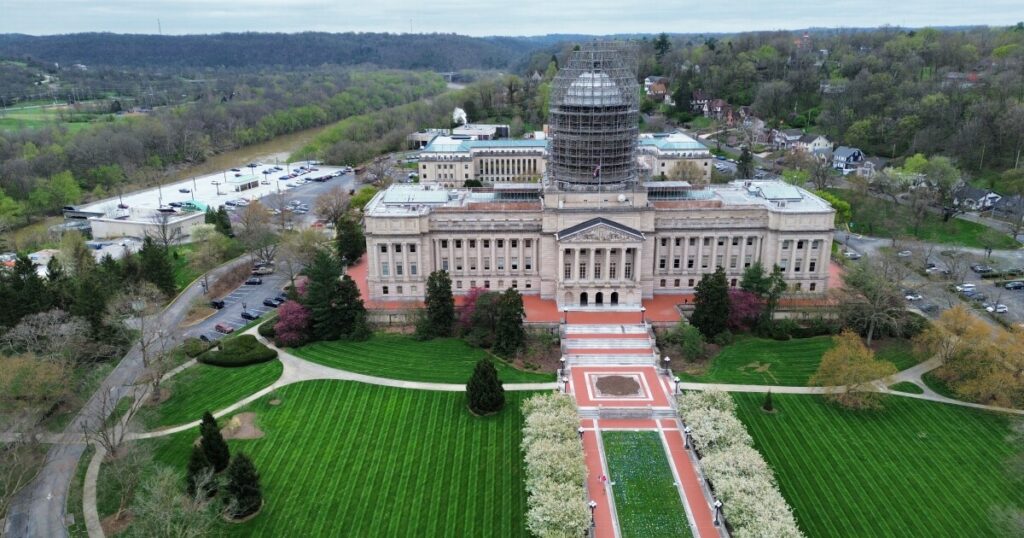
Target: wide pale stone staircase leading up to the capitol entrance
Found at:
x=608, y=345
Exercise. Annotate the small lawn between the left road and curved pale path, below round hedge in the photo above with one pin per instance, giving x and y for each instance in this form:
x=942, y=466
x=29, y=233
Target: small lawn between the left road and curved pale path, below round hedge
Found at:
x=205, y=388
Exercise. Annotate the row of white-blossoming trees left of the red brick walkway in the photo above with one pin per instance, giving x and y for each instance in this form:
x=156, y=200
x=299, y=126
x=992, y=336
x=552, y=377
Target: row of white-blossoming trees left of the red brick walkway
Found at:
x=556, y=469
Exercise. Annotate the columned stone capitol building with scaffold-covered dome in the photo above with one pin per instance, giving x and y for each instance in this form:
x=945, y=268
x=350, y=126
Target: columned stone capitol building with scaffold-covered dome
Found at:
x=592, y=230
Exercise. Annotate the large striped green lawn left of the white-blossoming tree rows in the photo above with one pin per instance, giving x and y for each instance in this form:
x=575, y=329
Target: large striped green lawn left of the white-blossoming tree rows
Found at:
x=344, y=459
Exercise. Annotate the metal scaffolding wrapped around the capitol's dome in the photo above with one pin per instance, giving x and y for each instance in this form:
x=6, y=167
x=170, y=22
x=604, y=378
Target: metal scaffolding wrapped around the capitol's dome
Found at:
x=594, y=120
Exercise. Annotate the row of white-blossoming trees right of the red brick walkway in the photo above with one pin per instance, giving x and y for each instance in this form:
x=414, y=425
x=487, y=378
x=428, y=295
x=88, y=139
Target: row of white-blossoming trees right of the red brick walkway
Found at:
x=737, y=473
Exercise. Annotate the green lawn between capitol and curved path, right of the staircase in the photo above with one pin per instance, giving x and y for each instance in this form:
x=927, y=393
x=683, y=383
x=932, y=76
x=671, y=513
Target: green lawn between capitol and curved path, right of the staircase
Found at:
x=762, y=361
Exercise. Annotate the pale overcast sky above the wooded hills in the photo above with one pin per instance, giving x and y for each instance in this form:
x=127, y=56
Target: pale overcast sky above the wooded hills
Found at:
x=486, y=18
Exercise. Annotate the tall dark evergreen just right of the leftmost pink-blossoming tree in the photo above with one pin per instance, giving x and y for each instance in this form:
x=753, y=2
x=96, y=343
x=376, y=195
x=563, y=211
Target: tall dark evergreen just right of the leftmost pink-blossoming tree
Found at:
x=329, y=319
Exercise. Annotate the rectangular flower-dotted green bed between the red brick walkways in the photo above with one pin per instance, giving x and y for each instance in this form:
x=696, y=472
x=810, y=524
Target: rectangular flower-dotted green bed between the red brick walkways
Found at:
x=647, y=500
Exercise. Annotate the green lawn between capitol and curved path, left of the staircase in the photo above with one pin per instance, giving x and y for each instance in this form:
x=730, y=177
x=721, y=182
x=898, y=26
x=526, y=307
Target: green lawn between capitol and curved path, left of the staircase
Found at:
x=399, y=357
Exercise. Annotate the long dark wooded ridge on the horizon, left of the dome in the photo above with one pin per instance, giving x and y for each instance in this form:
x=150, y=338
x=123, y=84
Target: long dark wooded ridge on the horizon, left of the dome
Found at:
x=434, y=52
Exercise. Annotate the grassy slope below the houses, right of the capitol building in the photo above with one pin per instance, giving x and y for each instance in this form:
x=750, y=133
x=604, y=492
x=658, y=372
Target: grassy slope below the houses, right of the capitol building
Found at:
x=879, y=218
